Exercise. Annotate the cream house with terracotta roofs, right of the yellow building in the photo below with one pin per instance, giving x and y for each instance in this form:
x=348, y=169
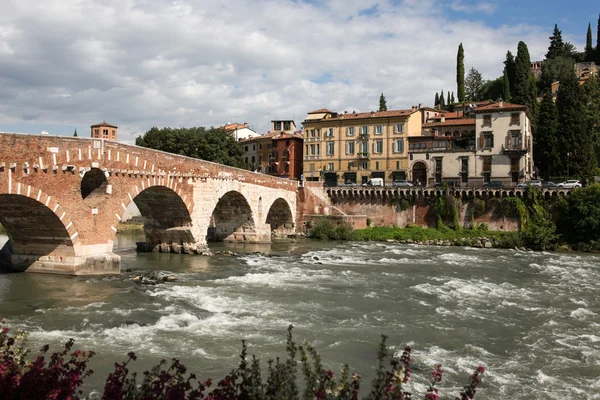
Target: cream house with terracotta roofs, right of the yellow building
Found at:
x=495, y=144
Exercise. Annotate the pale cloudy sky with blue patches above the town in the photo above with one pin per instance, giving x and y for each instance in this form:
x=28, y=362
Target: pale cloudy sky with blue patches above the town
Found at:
x=67, y=64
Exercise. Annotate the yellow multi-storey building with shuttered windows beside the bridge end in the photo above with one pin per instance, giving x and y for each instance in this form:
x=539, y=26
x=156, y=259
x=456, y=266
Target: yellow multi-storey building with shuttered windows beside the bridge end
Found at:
x=351, y=148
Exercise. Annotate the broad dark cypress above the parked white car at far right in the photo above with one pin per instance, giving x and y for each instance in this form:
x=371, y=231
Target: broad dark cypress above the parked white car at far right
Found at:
x=575, y=130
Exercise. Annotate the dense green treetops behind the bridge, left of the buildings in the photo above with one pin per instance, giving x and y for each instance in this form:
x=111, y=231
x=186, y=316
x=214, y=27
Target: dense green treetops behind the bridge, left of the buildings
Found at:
x=212, y=144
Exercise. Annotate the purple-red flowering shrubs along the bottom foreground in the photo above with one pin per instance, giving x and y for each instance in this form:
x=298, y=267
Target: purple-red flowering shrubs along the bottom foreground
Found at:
x=60, y=377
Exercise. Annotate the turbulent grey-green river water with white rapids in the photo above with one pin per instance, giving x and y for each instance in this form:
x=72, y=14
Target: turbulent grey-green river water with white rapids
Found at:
x=531, y=318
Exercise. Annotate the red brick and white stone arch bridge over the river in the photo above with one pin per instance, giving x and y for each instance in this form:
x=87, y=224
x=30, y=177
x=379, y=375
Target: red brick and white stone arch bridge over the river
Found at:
x=62, y=198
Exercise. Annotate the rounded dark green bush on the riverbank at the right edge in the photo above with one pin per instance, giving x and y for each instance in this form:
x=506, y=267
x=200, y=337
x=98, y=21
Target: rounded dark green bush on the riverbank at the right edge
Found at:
x=579, y=215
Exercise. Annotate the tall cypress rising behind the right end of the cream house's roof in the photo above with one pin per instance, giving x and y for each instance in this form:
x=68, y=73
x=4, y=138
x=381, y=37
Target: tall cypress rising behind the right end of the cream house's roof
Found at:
x=525, y=90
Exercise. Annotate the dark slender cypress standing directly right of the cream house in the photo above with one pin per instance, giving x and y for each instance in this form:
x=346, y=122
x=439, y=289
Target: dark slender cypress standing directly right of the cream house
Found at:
x=546, y=147
